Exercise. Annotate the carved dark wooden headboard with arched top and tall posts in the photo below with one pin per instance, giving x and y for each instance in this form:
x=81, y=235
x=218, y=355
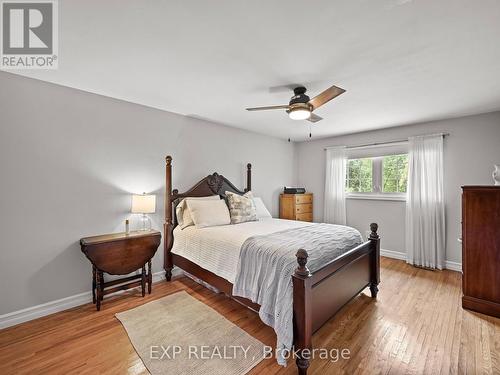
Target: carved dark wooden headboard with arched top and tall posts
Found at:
x=211, y=185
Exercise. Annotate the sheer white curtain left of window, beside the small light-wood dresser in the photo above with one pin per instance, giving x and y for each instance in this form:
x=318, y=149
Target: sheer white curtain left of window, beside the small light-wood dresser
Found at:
x=335, y=178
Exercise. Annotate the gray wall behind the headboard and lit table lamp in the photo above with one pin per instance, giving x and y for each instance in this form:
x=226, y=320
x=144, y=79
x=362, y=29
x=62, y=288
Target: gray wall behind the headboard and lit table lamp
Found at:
x=69, y=162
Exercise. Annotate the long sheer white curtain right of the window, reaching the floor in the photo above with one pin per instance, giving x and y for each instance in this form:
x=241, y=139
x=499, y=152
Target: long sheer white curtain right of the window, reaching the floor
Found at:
x=425, y=217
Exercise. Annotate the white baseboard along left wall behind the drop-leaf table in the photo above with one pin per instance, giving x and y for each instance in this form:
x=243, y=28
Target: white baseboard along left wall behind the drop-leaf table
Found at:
x=34, y=312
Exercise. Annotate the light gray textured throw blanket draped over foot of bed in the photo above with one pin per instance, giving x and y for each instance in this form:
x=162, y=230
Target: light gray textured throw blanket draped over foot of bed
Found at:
x=267, y=263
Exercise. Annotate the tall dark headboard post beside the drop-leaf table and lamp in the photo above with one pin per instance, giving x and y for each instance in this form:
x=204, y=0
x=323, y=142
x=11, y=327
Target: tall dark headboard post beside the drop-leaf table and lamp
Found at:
x=168, y=226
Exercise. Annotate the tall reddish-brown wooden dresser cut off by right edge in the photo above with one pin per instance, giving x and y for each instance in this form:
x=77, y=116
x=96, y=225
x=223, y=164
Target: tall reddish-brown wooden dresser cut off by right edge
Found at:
x=481, y=249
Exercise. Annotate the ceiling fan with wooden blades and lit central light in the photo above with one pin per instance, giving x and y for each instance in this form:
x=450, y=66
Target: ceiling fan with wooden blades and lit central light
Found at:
x=301, y=107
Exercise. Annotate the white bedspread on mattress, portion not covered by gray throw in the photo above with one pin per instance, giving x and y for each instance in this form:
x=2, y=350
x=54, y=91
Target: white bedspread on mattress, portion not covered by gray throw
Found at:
x=217, y=249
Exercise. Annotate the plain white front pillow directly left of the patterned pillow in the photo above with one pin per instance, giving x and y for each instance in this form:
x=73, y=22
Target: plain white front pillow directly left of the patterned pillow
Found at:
x=209, y=213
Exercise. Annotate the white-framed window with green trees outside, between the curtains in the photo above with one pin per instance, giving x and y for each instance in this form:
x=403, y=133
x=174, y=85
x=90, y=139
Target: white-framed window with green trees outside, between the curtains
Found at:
x=381, y=177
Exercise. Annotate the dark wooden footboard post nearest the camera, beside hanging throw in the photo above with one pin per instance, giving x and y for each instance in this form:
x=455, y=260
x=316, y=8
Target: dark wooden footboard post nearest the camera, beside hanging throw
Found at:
x=302, y=312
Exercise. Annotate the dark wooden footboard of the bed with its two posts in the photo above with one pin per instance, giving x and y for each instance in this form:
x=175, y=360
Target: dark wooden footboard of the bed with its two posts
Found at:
x=318, y=295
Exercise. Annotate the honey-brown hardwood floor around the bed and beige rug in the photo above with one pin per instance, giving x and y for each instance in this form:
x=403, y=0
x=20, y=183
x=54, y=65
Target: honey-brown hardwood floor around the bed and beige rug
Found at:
x=416, y=326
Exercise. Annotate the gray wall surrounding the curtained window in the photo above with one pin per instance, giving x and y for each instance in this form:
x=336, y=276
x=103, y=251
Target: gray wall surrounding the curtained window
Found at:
x=470, y=152
